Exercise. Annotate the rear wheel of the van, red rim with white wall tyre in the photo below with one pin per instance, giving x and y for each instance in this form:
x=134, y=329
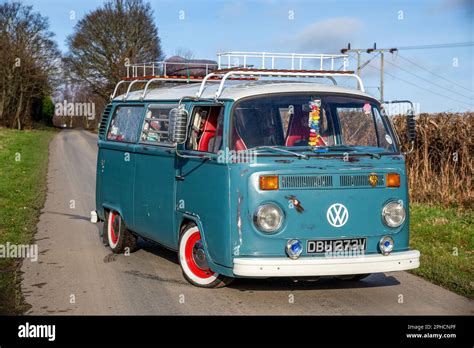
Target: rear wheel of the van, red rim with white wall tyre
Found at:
x=118, y=237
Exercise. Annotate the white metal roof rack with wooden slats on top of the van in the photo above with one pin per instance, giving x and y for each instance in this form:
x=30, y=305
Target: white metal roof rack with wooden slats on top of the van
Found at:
x=237, y=66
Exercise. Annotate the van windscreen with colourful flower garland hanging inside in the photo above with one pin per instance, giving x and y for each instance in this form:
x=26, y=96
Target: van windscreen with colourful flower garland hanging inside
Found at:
x=309, y=120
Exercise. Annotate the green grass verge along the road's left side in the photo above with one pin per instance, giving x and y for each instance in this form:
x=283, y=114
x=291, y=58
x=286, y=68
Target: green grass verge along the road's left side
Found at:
x=22, y=194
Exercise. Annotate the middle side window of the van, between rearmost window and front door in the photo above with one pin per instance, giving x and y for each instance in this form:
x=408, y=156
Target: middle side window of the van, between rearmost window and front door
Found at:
x=155, y=125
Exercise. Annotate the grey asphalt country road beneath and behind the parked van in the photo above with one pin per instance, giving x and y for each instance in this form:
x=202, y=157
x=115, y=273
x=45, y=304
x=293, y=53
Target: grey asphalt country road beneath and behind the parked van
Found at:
x=76, y=274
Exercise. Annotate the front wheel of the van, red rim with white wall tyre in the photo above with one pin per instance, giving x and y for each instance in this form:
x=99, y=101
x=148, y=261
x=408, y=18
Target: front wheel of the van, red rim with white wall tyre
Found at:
x=193, y=261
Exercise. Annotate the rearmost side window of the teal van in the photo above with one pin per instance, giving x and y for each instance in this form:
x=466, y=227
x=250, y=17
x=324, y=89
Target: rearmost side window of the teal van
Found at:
x=125, y=124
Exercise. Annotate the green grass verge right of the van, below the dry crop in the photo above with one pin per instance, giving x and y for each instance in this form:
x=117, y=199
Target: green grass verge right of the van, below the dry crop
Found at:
x=445, y=238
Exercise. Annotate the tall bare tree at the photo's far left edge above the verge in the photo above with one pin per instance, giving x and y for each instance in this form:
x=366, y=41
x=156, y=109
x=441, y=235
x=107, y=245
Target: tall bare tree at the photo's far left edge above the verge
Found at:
x=29, y=62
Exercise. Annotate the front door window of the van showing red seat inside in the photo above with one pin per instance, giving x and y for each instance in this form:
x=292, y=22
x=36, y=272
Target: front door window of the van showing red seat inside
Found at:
x=206, y=129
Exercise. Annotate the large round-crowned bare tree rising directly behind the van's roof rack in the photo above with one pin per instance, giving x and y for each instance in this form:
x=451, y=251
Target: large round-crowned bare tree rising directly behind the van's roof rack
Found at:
x=106, y=39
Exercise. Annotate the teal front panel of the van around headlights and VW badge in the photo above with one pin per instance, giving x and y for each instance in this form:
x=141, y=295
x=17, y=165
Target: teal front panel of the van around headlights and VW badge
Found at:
x=315, y=185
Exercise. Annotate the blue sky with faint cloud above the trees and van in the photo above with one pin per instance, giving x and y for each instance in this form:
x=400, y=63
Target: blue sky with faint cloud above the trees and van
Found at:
x=321, y=27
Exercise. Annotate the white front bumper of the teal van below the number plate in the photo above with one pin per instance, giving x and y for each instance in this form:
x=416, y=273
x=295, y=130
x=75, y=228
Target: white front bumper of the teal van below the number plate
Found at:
x=325, y=266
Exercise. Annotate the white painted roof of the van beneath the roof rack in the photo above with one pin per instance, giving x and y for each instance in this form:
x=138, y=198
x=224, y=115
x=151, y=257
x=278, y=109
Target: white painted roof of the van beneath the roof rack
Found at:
x=237, y=90
